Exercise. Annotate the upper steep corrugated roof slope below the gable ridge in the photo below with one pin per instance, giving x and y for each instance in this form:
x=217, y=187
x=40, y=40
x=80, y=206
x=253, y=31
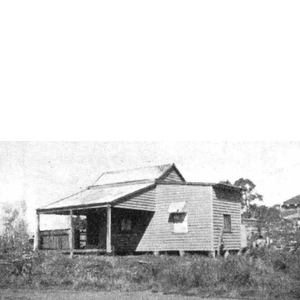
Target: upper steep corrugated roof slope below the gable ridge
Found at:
x=146, y=173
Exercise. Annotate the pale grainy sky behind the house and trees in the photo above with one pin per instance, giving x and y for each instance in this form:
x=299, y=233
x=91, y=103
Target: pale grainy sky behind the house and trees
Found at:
x=41, y=172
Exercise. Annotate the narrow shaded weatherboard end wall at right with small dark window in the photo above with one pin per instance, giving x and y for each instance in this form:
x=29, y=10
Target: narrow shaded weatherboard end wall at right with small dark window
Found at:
x=227, y=201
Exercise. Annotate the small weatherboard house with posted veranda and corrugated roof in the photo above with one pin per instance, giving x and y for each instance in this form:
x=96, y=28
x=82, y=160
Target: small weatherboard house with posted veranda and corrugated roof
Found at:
x=152, y=209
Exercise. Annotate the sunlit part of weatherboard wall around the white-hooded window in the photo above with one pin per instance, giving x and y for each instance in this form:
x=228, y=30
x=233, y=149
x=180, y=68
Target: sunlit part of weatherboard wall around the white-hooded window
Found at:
x=159, y=235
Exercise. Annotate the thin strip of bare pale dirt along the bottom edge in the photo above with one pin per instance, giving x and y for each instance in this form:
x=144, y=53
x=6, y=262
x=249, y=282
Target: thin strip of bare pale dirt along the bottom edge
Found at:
x=76, y=295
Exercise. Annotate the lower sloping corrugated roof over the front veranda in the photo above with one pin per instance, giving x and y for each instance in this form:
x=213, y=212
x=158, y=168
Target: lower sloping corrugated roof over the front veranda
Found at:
x=98, y=195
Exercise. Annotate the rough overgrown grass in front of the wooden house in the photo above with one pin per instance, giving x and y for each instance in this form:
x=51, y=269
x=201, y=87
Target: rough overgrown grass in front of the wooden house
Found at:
x=262, y=273
